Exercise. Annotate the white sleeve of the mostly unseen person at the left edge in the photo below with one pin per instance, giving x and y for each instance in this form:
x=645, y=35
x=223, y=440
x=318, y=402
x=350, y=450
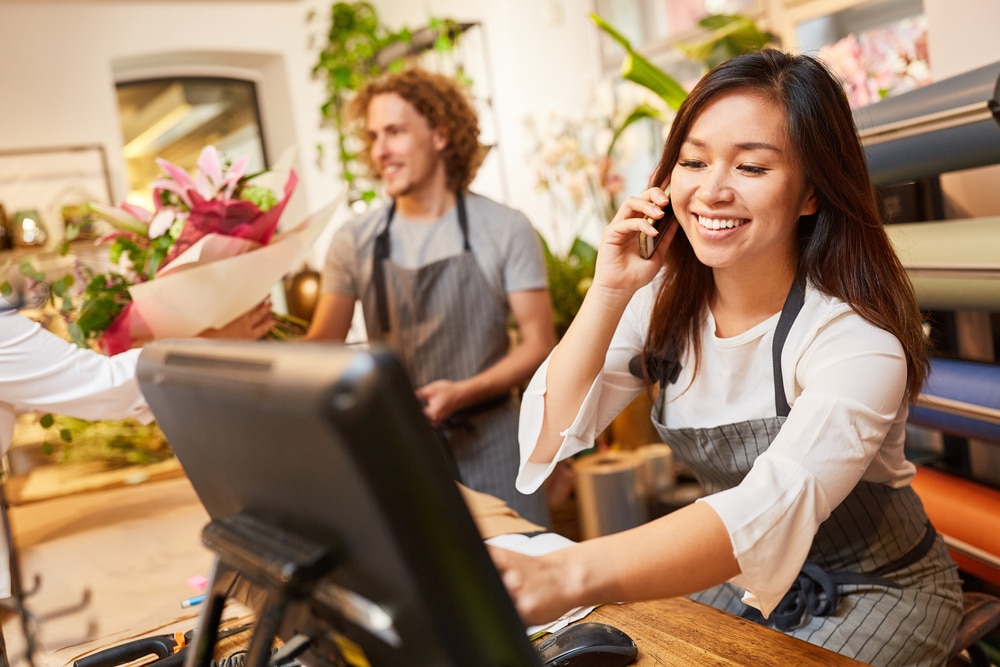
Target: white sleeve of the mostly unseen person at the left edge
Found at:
x=40, y=371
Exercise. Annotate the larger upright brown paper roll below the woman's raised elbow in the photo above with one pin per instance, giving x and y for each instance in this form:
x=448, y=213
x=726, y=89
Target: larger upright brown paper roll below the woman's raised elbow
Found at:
x=609, y=492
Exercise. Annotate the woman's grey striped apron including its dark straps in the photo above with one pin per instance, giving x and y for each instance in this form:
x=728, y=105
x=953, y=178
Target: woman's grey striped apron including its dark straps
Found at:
x=878, y=584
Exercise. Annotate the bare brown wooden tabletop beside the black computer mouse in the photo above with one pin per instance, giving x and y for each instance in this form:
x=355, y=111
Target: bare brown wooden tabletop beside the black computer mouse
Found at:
x=681, y=632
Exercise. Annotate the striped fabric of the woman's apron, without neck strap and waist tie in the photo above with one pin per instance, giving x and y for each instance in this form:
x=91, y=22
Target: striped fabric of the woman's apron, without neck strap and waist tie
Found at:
x=875, y=525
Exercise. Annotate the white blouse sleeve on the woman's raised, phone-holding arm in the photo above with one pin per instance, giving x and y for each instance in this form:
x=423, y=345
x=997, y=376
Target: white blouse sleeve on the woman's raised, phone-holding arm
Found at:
x=613, y=390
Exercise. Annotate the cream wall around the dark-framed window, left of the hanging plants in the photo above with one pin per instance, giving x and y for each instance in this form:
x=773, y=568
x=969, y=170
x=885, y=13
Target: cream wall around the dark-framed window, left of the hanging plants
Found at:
x=59, y=62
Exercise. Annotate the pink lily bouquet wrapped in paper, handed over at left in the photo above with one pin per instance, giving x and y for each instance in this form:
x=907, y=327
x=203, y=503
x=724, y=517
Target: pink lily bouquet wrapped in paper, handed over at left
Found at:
x=209, y=217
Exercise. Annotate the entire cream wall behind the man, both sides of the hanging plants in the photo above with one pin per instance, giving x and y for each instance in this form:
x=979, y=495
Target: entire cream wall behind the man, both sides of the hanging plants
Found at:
x=59, y=60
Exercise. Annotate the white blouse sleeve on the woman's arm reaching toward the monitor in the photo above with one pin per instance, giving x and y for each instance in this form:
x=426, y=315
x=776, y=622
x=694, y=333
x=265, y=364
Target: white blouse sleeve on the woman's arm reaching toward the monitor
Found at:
x=852, y=378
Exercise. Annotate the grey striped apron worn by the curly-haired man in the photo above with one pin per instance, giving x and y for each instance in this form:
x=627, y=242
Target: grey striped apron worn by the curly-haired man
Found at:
x=445, y=322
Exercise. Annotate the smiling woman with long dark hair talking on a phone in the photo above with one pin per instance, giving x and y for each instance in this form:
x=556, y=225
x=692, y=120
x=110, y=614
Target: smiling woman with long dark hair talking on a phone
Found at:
x=782, y=339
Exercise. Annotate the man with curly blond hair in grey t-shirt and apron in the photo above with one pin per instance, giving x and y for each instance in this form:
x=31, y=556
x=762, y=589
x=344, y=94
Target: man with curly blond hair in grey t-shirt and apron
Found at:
x=439, y=272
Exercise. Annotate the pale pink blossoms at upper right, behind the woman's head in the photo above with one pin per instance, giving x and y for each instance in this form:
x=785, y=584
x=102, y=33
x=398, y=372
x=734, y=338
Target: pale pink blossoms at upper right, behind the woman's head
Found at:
x=881, y=62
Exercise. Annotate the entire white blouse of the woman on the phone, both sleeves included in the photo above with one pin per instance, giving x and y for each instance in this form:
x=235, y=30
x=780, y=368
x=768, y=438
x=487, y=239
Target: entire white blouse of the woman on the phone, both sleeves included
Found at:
x=845, y=381
